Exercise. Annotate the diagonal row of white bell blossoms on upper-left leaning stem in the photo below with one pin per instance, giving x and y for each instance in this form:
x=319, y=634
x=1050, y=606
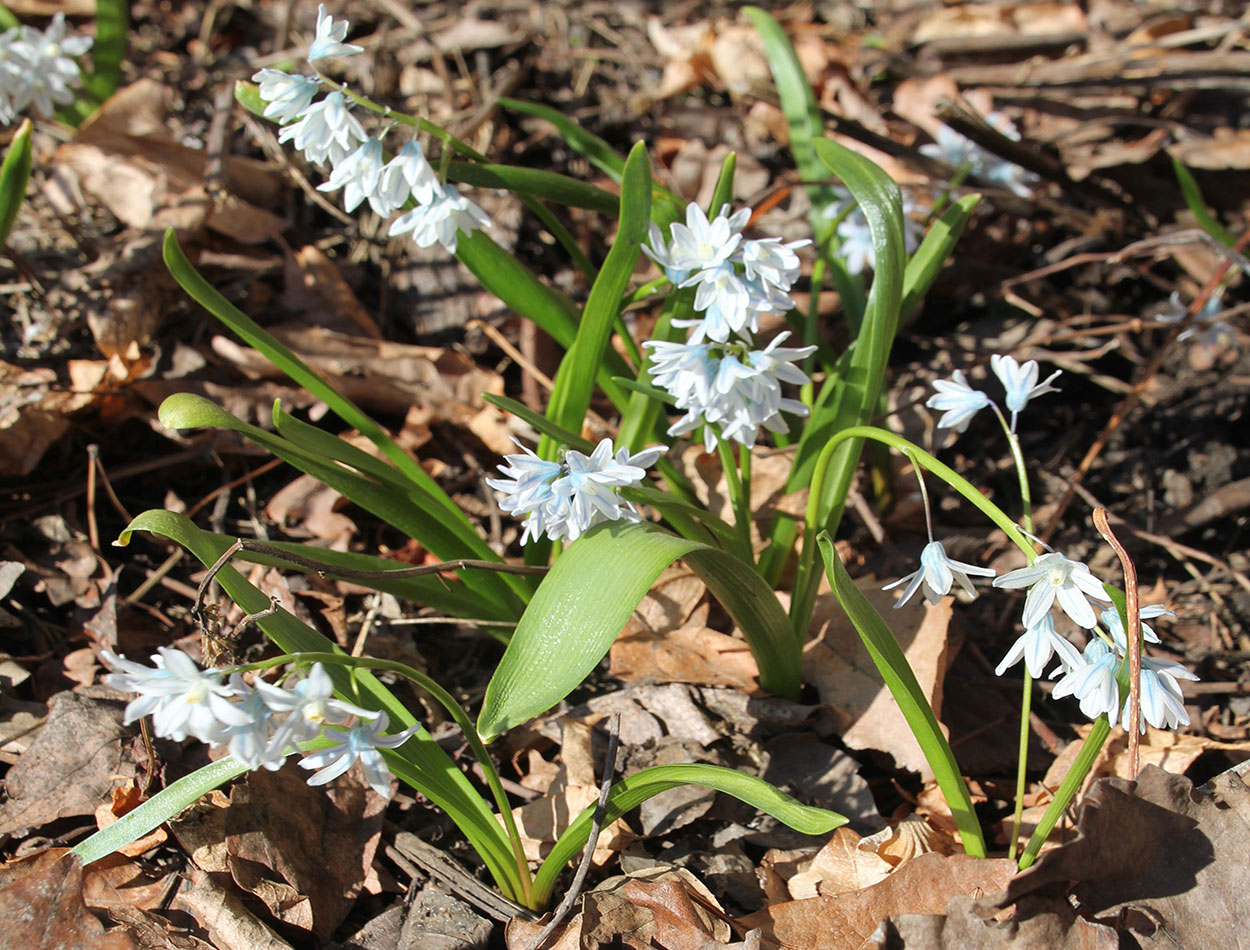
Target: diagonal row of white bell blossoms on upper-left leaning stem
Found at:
x=328, y=133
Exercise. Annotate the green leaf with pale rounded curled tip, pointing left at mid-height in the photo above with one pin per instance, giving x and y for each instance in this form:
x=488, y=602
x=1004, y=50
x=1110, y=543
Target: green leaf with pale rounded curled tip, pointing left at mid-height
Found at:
x=412, y=512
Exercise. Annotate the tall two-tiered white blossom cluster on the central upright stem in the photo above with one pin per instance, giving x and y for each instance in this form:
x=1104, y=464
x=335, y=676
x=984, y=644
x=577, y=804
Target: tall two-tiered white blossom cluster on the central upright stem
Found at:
x=719, y=378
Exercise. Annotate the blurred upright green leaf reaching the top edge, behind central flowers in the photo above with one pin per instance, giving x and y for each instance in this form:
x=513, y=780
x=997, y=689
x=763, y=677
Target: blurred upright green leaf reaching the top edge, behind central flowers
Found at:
x=802, y=113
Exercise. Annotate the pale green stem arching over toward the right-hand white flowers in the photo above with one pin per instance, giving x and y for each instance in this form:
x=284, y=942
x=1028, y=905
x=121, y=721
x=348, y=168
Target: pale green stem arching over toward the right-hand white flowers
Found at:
x=819, y=512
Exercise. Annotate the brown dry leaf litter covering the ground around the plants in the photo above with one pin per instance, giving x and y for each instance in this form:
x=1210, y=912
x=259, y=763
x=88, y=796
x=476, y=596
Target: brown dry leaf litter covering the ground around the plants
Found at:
x=1157, y=862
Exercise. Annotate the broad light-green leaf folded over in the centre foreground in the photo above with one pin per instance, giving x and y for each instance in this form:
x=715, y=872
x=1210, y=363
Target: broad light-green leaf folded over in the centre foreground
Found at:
x=594, y=588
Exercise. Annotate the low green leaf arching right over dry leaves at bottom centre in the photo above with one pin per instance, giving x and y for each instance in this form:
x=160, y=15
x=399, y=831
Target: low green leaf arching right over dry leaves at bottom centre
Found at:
x=632, y=791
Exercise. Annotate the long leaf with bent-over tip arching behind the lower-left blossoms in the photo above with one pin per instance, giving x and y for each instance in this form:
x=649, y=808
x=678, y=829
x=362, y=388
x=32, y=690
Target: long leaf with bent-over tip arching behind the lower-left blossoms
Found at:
x=421, y=762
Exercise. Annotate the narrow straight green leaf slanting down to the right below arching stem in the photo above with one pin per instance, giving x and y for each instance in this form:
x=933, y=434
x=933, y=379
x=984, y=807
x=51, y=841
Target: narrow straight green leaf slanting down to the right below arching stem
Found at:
x=892, y=663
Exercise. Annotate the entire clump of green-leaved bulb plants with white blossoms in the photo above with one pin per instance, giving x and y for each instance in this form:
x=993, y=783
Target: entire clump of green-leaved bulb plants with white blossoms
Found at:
x=598, y=522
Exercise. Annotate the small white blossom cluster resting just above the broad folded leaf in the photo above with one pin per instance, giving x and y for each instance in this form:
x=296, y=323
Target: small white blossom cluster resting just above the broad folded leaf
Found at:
x=563, y=499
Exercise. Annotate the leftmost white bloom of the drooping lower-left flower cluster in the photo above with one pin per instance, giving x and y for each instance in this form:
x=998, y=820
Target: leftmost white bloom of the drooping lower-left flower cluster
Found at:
x=181, y=698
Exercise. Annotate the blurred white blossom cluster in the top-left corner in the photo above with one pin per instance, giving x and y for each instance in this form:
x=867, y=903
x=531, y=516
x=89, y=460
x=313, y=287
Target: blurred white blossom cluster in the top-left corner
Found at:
x=37, y=68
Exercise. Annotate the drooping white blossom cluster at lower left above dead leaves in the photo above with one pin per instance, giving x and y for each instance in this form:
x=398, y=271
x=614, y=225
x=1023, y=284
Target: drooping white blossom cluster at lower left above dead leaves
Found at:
x=261, y=724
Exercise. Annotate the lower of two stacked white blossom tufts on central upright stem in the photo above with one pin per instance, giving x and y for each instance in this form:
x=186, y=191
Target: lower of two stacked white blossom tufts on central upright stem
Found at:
x=729, y=387
